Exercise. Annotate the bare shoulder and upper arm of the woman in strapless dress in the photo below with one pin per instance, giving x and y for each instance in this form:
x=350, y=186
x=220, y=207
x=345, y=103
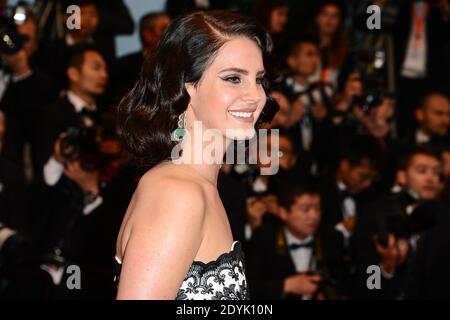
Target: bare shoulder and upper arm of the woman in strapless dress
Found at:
x=165, y=233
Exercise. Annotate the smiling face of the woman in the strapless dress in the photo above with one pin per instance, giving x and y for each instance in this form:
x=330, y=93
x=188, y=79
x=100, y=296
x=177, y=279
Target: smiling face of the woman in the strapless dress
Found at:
x=230, y=96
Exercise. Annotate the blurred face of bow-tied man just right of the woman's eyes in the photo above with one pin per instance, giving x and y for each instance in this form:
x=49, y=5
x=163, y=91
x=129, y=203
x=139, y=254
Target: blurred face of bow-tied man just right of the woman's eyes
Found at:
x=305, y=60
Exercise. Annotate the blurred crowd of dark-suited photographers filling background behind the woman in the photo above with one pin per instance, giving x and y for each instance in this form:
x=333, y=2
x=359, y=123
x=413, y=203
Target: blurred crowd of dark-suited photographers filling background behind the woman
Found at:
x=364, y=152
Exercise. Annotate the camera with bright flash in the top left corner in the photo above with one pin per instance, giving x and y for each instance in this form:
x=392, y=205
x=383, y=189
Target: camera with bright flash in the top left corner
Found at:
x=11, y=41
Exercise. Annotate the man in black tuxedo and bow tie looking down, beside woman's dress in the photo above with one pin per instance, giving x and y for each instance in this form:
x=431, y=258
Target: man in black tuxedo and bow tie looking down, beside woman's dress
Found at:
x=287, y=258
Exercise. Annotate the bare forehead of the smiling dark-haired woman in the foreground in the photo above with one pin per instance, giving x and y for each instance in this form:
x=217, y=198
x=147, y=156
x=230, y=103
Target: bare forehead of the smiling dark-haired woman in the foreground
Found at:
x=240, y=53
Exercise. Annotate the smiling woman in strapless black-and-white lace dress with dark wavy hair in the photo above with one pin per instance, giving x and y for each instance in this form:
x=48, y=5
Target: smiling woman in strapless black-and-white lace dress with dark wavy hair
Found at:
x=175, y=240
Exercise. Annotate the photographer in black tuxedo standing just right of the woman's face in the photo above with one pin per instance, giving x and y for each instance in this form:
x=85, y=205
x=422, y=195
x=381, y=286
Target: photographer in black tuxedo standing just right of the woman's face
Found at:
x=308, y=123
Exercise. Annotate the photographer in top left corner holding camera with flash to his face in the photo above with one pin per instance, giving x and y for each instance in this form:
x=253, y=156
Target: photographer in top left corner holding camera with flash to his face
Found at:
x=19, y=74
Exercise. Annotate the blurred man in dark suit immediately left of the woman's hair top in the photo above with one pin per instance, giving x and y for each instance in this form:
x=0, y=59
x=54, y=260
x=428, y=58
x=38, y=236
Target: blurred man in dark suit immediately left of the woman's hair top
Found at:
x=127, y=68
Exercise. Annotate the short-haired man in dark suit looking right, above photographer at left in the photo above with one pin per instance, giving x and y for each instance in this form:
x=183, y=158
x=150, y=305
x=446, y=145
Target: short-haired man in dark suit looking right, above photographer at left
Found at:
x=88, y=77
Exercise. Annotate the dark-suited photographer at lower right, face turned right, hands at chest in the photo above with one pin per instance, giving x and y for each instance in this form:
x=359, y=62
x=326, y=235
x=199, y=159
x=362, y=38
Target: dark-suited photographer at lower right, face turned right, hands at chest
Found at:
x=389, y=230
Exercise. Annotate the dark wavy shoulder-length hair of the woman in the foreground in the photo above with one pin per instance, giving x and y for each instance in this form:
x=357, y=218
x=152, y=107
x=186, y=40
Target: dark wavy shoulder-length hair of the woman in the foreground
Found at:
x=148, y=114
